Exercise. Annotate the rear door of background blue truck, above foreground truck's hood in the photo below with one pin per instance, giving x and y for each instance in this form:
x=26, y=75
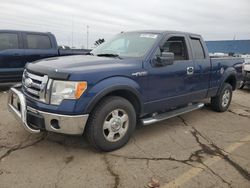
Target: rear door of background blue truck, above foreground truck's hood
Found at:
x=38, y=46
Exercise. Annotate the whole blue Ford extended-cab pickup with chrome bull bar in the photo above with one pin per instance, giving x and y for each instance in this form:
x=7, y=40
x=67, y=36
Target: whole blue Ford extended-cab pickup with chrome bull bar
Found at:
x=139, y=77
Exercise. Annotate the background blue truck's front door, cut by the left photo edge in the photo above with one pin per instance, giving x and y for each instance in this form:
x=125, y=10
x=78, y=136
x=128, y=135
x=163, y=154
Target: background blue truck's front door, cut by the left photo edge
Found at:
x=12, y=56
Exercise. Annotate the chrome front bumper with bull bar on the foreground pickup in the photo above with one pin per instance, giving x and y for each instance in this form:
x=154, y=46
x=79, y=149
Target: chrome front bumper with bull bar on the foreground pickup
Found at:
x=66, y=124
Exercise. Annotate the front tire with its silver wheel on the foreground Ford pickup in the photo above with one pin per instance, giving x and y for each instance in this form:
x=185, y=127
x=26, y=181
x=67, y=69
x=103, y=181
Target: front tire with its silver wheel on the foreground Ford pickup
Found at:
x=111, y=124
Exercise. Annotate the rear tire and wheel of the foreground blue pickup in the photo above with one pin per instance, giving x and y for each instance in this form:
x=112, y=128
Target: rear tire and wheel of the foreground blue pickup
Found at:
x=221, y=102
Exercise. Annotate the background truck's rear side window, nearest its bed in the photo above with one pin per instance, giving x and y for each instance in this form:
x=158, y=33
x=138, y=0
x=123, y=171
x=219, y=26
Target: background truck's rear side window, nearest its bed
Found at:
x=38, y=41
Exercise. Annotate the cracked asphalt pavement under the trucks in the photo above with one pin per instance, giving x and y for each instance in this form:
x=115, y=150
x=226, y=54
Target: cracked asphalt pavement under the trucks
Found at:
x=198, y=149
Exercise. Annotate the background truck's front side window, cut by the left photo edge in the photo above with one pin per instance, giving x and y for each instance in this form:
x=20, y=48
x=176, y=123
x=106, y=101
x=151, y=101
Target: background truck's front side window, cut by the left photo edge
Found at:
x=8, y=41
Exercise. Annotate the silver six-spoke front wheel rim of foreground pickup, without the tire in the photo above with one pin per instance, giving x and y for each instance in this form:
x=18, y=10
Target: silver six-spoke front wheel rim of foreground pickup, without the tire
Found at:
x=115, y=125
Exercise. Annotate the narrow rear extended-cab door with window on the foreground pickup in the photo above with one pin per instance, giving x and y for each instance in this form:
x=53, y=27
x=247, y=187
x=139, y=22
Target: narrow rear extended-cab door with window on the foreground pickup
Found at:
x=202, y=67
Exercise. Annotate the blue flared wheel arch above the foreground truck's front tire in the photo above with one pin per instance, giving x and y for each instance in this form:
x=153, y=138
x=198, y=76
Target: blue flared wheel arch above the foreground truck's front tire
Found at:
x=106, y=86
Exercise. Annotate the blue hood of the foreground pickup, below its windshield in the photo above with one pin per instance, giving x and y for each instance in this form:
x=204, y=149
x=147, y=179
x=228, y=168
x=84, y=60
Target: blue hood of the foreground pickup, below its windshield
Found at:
x=63, y=67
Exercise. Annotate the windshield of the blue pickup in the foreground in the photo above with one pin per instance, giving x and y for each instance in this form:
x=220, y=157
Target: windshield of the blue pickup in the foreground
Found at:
x=127, y=45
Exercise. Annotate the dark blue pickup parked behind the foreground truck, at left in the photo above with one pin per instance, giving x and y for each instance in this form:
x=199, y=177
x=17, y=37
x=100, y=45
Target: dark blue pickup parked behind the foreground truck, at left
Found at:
x=19, y=47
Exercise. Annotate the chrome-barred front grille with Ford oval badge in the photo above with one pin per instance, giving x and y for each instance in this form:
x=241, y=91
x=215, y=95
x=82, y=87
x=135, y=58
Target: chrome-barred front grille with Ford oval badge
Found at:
x=35, y=85
